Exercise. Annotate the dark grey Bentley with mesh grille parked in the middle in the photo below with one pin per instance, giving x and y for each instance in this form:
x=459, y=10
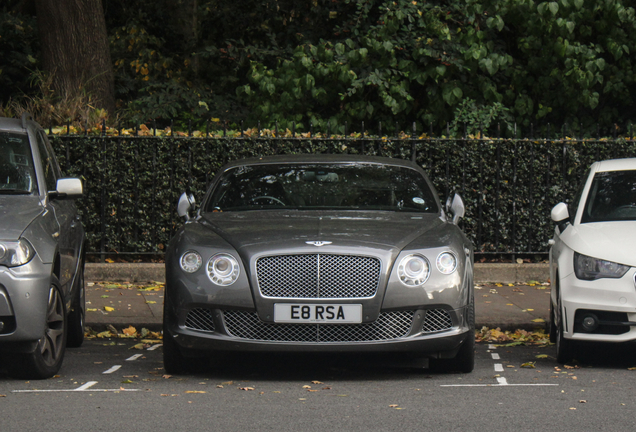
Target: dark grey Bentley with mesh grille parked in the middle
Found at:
x=320, y=253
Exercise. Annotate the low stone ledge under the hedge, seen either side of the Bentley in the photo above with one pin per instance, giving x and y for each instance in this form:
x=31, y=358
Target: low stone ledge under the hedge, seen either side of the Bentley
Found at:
x=151, y=272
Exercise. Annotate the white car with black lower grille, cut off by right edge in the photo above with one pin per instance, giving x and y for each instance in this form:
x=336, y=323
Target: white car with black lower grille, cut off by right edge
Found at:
x=593, y=261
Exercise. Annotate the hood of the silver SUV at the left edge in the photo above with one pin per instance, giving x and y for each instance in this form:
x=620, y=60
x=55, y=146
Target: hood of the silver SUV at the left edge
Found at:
x=16, y=214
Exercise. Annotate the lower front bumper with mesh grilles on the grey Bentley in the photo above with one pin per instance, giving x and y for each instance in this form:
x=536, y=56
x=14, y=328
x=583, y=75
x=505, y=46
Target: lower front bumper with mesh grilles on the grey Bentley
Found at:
x=429, y=333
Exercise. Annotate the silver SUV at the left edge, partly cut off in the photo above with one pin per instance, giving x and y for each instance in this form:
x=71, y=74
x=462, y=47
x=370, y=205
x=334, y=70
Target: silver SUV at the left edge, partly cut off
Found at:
x=42, y=301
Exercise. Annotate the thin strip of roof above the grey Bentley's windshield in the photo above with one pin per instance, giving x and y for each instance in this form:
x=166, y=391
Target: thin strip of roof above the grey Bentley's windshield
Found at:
x=321, y=158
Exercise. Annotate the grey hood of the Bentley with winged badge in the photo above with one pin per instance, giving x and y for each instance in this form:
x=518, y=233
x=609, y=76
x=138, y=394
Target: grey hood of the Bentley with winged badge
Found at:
x=273, y=230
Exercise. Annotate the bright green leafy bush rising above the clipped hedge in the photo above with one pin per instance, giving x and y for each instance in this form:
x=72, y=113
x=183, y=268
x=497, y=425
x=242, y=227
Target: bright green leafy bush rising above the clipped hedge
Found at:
x=567, y=61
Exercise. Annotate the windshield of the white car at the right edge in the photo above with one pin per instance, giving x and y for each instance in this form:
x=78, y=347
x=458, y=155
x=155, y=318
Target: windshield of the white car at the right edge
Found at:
x=612, y=197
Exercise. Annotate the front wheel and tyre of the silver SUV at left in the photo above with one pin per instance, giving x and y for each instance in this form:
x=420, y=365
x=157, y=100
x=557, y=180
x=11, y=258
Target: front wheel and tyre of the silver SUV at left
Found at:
x=46, y=360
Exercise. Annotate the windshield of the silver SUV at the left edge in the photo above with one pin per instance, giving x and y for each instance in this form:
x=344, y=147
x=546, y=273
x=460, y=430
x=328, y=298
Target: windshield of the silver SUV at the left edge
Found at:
x=16, y=164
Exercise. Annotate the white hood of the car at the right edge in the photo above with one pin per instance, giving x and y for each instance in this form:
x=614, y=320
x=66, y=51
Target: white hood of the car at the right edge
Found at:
x=612, y=241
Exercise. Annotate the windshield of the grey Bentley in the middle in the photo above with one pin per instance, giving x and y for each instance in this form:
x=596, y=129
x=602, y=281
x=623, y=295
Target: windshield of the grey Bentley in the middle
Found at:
x=350, y=186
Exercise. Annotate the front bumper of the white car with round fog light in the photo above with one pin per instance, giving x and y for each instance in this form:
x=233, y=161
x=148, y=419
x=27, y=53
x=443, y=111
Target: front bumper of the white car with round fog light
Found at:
x=611, y=300
